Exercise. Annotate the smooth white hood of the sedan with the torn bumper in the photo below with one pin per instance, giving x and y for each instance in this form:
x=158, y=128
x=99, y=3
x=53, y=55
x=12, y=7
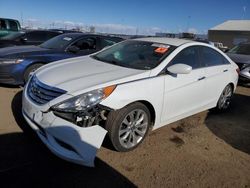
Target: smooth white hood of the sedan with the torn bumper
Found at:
x=82, y=74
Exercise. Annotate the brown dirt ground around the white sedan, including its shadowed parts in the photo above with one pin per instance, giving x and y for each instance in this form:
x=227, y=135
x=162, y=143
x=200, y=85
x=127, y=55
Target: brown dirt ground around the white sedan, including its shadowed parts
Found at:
x=205, y=150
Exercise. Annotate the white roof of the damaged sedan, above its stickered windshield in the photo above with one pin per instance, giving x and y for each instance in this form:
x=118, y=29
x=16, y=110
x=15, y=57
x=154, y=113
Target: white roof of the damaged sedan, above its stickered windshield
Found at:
x=165, y=40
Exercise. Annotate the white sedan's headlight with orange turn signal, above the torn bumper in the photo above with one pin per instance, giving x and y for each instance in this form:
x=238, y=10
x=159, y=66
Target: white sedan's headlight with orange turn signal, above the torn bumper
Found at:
x=84, y=101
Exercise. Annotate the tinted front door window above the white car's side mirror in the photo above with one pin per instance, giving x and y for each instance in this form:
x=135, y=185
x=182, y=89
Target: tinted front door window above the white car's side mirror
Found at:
x=188, y=56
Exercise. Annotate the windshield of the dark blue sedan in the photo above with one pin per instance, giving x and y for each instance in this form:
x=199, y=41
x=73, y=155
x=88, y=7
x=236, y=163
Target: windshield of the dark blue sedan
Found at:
x=58, y=42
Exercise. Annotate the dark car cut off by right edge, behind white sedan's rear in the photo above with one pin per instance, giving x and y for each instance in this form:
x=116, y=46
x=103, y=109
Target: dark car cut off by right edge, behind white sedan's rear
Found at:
x=240, y=54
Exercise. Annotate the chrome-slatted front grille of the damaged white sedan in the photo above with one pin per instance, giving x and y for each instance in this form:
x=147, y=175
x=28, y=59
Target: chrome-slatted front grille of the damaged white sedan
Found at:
x=41, y=93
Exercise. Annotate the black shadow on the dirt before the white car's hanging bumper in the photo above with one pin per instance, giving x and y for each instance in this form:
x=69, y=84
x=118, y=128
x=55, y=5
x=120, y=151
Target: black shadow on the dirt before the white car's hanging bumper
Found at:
x=26, y=162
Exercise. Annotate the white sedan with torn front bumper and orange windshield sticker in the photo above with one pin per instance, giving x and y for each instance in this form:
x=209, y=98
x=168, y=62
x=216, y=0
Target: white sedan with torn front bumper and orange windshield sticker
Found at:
x=123, y=91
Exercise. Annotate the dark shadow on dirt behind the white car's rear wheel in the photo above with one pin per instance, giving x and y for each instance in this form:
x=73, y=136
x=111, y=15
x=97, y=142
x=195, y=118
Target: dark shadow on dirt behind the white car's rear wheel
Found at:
x=233, y=126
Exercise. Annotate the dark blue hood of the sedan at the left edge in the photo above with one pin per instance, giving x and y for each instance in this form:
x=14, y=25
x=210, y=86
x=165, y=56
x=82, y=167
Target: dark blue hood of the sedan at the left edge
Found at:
x=20, y=51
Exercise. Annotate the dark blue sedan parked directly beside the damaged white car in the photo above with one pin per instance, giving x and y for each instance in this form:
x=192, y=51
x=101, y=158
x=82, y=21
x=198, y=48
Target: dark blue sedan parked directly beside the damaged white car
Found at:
x=16, y=63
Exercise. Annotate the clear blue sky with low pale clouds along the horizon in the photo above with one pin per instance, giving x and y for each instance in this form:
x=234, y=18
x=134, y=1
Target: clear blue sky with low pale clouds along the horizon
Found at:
x=128, y=16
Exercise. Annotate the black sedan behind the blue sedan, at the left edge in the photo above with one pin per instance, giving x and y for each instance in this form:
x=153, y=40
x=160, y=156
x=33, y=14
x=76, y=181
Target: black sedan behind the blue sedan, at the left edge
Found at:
x=32, y=37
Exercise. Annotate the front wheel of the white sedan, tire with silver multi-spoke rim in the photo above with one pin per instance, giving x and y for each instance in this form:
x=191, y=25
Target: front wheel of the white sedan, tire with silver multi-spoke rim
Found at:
x=128, y=126
